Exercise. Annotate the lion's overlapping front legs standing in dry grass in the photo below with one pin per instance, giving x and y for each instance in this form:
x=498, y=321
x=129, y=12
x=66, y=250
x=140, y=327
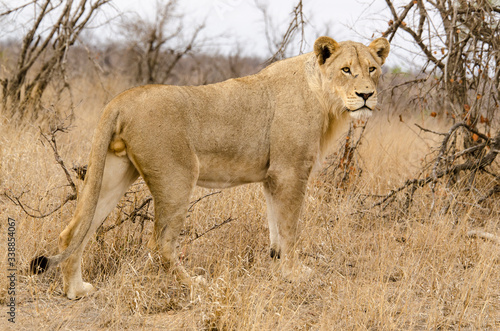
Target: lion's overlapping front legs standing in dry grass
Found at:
x=285, y=191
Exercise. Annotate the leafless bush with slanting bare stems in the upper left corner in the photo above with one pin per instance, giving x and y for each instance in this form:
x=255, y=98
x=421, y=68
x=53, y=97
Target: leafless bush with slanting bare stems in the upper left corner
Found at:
x=43, y=53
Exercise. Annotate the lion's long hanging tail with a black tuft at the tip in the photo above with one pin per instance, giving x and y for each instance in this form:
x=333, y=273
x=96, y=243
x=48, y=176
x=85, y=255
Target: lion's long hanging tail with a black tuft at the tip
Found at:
x=86, y=205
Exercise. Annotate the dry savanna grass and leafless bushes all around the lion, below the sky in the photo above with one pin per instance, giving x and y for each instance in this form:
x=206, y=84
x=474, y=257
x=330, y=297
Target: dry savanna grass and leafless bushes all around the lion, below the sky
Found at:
x=400, y=227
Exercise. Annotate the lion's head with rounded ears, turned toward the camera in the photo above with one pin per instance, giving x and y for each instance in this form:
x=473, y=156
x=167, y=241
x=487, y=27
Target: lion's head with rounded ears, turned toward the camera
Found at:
x=350, y=71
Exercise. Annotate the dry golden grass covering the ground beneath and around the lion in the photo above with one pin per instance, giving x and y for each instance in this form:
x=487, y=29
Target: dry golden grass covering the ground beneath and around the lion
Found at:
x=379, y=269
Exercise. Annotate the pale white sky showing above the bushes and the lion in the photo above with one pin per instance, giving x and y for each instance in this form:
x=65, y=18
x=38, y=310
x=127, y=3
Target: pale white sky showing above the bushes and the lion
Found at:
x=237, y=25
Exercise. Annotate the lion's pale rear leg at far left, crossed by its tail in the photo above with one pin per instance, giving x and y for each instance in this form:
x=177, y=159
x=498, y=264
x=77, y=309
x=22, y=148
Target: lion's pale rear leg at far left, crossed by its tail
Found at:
x=119, y=174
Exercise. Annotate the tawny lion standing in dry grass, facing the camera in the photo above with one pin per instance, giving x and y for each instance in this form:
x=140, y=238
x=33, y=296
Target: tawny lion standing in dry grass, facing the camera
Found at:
x=273, y=127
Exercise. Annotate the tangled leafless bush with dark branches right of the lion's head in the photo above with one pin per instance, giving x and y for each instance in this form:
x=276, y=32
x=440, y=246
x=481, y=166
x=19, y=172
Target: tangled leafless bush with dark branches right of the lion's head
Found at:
x=460, y=41
